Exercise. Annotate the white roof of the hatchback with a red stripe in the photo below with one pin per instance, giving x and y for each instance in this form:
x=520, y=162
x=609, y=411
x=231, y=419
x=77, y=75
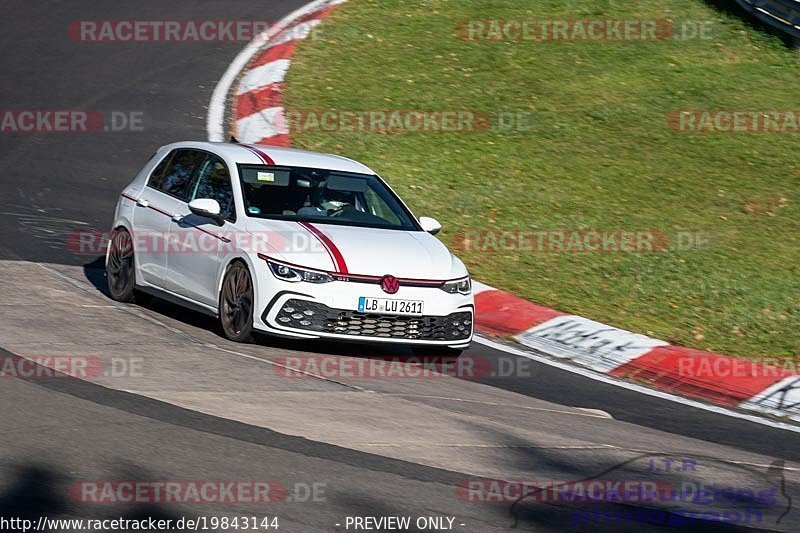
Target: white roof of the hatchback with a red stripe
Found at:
x=256, y=154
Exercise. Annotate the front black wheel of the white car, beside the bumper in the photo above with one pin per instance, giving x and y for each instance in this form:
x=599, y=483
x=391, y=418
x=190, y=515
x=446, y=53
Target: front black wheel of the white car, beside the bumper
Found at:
x=236, y=301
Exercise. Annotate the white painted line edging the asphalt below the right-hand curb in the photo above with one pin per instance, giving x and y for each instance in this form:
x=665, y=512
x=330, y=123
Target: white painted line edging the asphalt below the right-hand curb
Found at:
x=634, y=387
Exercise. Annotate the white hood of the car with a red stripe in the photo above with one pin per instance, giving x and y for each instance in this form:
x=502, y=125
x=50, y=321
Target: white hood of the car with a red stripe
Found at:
x=355, y=250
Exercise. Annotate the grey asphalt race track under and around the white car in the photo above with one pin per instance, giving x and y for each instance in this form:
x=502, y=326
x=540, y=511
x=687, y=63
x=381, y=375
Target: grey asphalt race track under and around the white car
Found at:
x=201, y=408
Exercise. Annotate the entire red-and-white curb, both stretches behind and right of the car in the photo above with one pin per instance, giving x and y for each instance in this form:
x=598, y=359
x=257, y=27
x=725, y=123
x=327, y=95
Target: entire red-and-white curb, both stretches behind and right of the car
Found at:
x=247, y=103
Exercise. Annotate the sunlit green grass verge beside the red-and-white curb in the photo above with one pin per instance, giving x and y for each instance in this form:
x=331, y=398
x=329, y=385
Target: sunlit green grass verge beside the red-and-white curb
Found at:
x=600, y=156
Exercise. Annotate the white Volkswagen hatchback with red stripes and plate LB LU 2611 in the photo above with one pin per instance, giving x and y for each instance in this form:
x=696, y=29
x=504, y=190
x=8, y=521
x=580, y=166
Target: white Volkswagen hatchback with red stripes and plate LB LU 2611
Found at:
x=287, y=242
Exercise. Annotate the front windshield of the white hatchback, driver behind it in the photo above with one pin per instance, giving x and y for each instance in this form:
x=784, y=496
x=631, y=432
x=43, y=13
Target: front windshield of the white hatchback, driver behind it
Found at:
x=318, y=195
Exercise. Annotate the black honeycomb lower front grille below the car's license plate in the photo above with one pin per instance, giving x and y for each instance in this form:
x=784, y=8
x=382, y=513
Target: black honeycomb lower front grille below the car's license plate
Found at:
x=313, y=316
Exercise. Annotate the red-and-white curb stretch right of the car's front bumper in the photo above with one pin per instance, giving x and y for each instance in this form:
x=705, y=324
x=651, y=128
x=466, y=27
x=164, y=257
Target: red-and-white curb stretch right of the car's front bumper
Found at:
x=720, y=379
